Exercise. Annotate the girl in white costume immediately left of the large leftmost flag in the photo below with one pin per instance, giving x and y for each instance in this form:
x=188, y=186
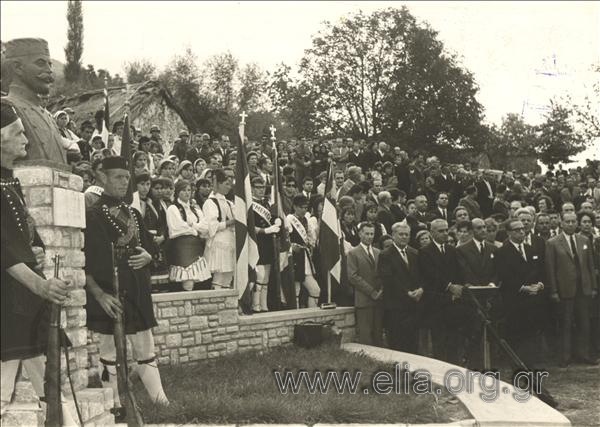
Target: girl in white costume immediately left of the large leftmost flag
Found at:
x=220, y=251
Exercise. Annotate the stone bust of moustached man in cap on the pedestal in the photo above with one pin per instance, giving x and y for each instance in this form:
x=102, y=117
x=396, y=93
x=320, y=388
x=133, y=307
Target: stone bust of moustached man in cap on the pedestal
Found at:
x=31, y=75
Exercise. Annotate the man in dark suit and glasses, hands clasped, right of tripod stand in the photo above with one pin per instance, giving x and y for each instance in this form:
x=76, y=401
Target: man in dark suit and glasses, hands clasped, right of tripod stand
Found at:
x=520, y=273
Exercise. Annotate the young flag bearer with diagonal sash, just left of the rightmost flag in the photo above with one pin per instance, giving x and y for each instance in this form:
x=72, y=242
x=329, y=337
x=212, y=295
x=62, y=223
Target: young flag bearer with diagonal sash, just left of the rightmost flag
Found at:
x=302, y=246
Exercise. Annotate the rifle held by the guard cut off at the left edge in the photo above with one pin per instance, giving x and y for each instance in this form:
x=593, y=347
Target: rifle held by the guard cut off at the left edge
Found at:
x=52, y=374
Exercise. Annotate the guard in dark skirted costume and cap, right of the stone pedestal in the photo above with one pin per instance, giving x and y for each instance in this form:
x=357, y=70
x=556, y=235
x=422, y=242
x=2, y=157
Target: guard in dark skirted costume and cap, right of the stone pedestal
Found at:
x=112, y=221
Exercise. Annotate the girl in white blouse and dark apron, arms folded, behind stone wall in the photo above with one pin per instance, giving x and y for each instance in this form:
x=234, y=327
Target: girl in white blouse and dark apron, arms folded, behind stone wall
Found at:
x=187, y=230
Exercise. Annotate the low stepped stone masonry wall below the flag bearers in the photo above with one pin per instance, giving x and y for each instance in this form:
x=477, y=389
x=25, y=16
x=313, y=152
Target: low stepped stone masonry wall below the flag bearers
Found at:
x=202, y=325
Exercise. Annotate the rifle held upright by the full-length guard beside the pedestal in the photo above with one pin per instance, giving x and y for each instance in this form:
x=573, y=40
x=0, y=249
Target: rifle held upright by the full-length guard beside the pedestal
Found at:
x=133, y=416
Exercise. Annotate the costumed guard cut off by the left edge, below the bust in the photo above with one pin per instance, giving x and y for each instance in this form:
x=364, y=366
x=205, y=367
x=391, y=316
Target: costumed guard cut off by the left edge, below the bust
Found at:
x=25, y=291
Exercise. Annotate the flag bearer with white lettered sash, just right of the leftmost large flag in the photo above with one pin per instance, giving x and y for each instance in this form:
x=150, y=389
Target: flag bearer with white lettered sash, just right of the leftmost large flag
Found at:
x=266, y=226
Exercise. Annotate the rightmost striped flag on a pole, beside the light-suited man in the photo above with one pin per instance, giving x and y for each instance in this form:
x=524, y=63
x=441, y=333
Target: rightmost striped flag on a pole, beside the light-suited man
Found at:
x=330, y=236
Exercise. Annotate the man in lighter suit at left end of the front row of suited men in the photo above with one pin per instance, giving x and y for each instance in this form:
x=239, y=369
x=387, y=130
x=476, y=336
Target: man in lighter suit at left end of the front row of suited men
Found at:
x=362, y=275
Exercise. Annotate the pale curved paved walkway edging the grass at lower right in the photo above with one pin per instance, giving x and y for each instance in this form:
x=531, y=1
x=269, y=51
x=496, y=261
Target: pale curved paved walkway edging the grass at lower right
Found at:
x=504, y=411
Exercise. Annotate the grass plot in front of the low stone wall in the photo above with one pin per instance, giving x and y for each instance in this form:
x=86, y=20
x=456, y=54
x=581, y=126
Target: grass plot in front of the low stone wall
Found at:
x=241, y=388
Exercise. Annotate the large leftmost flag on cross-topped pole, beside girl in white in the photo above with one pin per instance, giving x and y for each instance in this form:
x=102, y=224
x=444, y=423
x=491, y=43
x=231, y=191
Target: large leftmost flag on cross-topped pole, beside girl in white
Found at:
x=245, y=231
